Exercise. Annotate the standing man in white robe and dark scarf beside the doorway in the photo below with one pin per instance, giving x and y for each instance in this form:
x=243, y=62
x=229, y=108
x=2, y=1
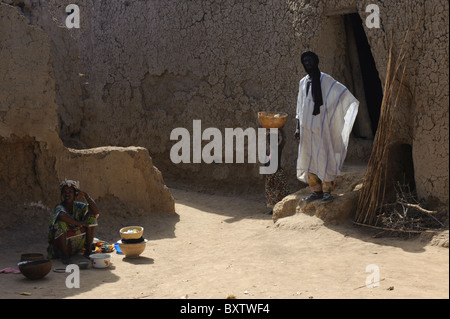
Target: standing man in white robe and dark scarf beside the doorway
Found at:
x=326, y=111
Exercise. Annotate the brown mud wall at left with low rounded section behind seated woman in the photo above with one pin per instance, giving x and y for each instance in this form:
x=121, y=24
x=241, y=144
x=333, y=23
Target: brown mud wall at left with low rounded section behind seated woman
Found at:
x=33, y=159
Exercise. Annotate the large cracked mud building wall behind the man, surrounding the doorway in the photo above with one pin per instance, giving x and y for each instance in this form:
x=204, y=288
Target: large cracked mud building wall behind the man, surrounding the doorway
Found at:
x=135, y=70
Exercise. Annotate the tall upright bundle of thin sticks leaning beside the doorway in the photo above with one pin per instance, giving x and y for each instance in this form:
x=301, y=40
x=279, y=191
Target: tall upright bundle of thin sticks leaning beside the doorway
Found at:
x=372, y=194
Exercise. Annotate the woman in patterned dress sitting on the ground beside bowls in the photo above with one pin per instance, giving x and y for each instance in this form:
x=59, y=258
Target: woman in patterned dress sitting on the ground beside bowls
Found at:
x=72, y=225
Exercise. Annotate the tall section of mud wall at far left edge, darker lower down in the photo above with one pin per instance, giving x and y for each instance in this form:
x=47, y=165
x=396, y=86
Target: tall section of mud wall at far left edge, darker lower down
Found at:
x=28, y=118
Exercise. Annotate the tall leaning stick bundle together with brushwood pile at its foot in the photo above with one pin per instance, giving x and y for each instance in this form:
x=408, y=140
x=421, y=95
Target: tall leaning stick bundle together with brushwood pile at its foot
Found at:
x=405, y=214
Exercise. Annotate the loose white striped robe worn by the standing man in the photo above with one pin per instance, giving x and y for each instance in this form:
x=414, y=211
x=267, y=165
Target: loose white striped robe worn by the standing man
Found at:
x=324, y=137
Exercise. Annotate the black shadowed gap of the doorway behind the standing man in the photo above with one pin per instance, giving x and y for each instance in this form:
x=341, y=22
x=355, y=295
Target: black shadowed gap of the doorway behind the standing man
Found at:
x=367, y=70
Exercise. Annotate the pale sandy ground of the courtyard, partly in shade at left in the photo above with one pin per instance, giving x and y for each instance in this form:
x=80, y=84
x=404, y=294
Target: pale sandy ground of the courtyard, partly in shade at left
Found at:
x=217, y=246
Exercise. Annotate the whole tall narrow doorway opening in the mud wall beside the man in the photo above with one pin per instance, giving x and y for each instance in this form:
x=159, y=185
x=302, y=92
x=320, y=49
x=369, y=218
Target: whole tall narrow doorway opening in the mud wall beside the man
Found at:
x=366, y=80
